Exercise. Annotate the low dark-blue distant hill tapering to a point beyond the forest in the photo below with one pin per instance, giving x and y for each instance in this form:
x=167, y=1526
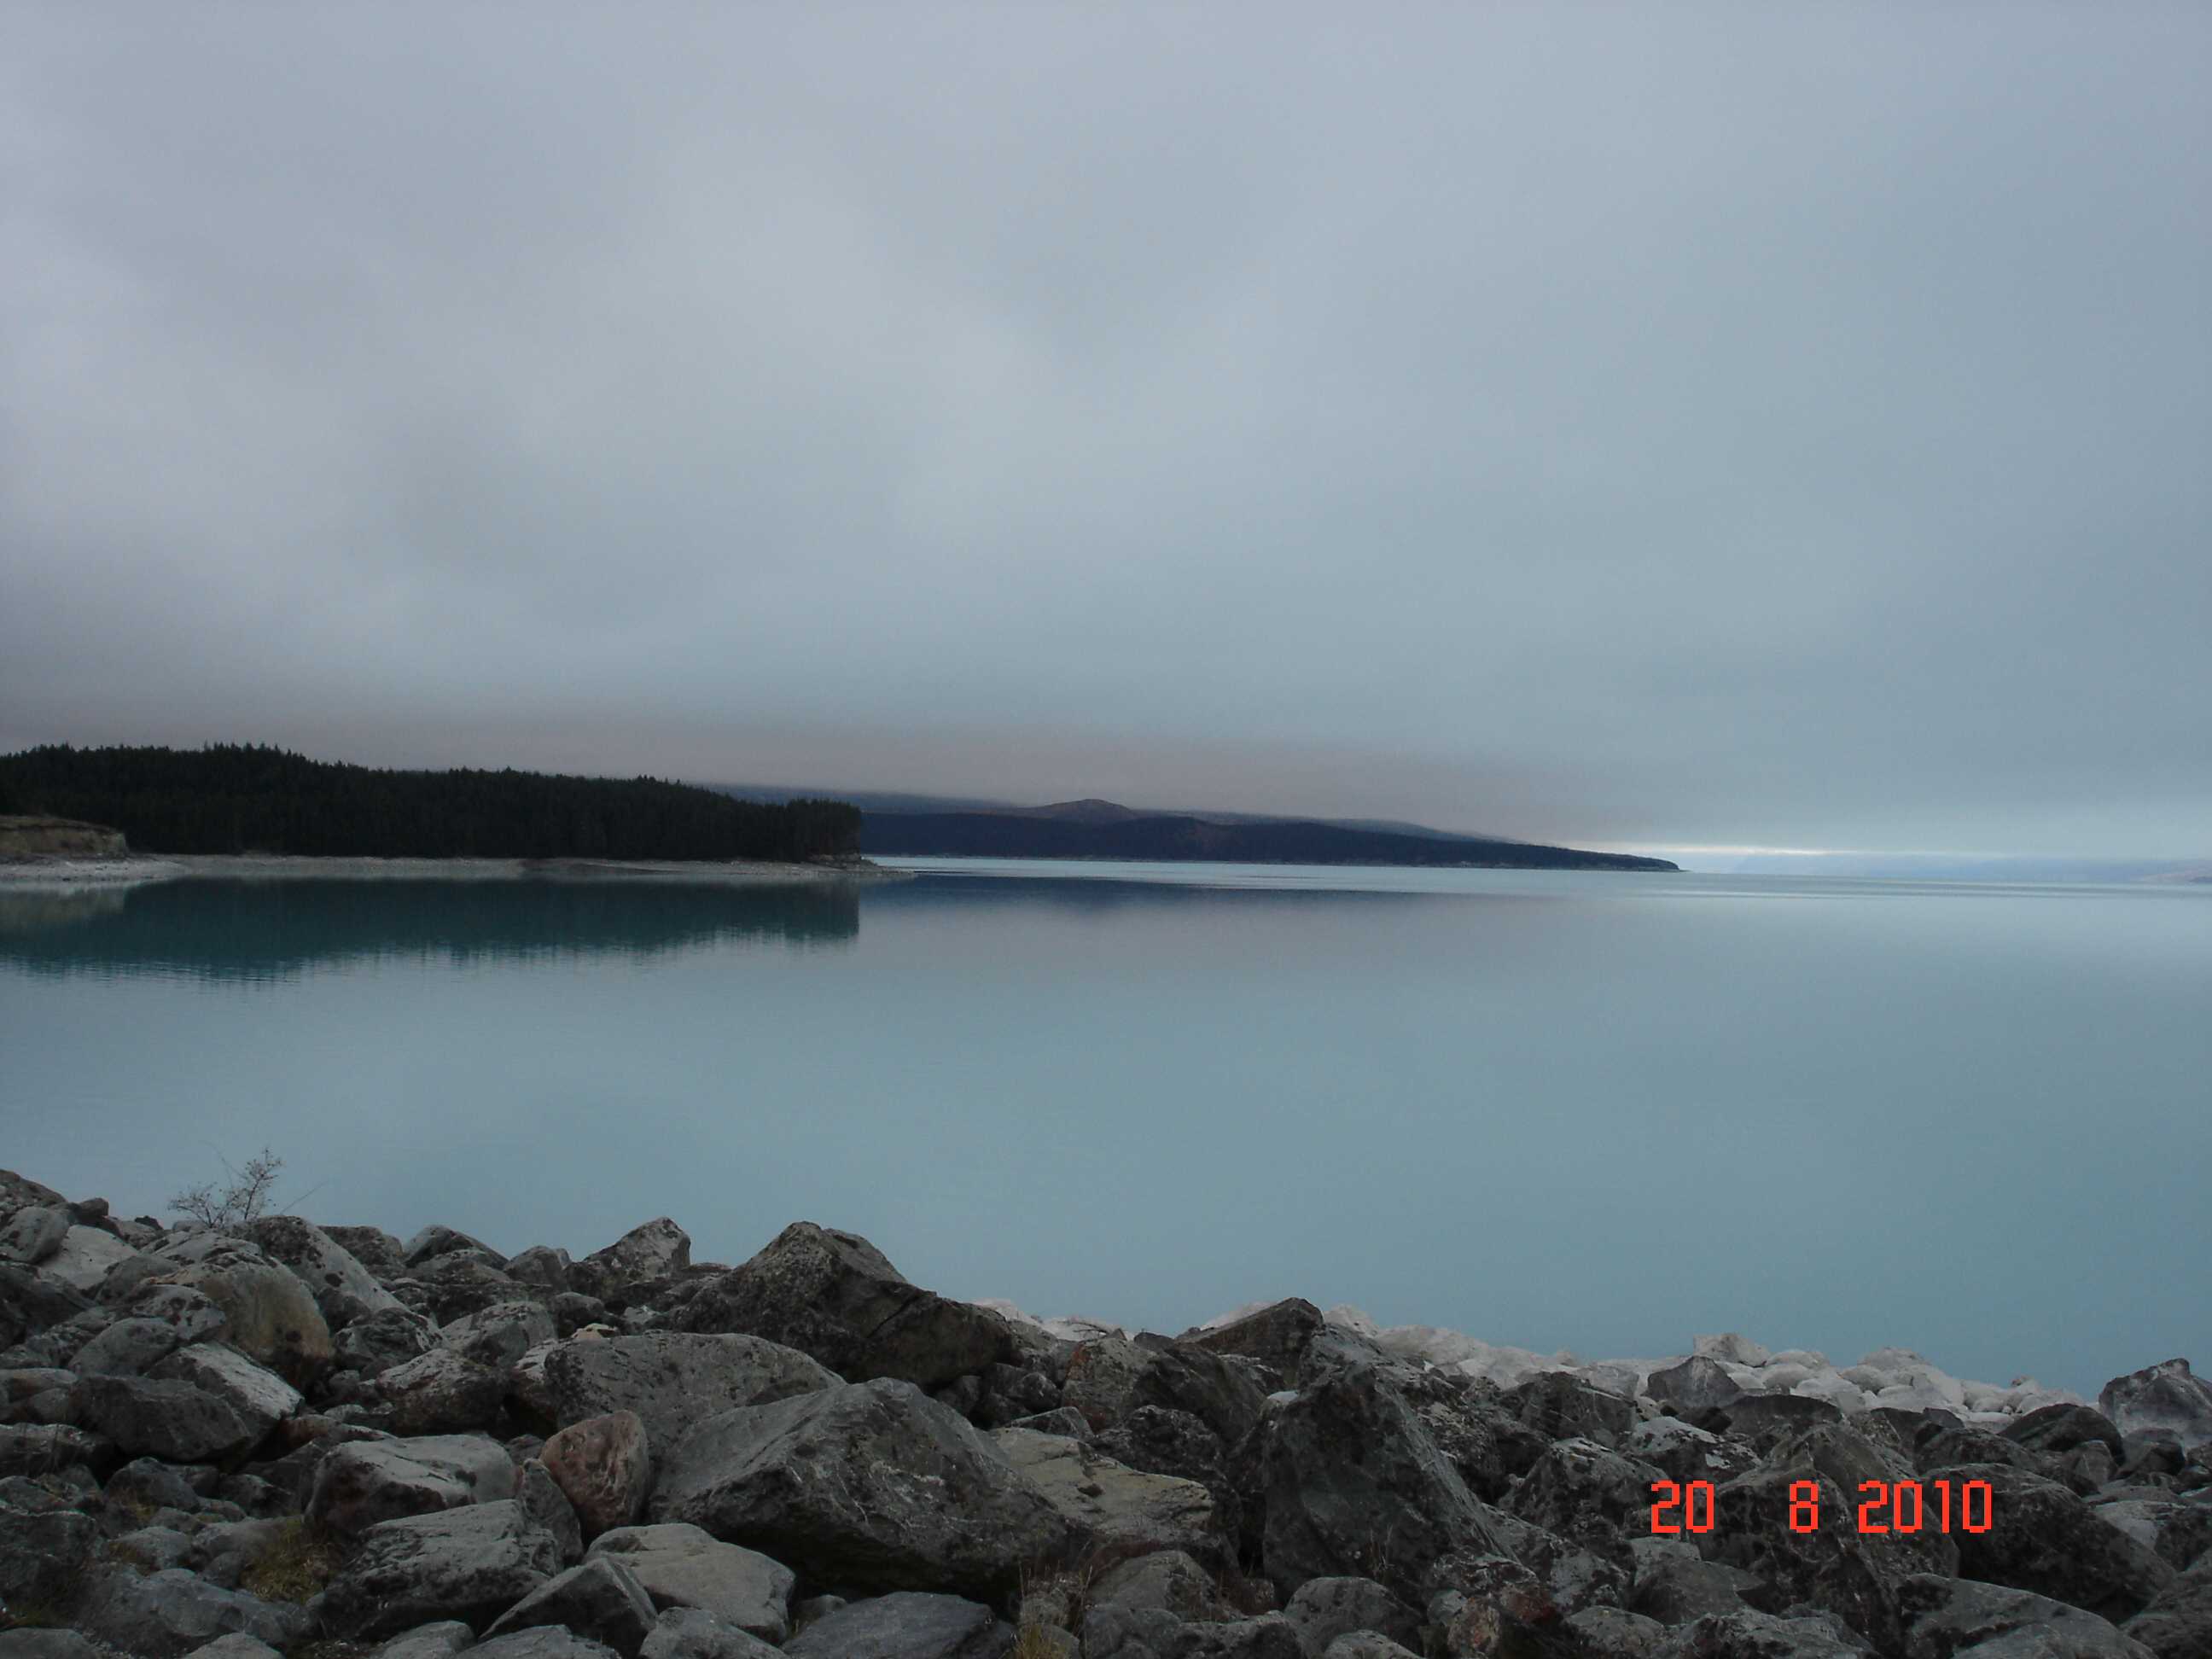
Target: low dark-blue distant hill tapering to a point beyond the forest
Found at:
x=1109, y=831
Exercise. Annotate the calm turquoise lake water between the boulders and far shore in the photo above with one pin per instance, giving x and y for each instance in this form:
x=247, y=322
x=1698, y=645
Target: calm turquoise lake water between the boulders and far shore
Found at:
x=1594, y=1112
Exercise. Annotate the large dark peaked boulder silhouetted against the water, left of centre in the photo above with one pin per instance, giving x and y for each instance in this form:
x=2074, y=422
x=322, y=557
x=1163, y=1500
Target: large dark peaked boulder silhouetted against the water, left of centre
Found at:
x=837, y=1297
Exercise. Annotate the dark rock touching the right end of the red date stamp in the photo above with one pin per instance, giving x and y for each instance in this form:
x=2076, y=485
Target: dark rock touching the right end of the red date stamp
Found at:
x=2047, y=1541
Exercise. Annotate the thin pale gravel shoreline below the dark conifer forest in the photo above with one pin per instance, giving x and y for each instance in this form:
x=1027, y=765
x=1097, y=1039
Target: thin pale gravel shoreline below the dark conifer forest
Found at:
x=87, y=873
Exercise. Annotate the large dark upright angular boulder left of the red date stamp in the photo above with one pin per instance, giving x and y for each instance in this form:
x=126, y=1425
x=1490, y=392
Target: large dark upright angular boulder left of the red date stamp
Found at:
x=1355, y=1485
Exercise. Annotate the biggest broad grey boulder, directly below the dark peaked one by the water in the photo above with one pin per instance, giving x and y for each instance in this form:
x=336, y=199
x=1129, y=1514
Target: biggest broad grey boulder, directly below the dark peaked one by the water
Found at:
x=866, y=1488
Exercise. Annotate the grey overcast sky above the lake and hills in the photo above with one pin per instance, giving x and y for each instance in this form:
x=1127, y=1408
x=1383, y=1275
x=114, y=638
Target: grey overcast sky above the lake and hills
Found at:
x=1780, y=426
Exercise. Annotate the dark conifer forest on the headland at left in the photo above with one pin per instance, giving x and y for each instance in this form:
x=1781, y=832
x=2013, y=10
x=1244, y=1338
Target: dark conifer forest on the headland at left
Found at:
x=247, y=797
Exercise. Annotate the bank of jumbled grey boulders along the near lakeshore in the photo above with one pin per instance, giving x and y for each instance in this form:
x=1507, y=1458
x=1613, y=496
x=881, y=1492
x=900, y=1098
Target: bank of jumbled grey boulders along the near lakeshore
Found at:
x=331, y=1443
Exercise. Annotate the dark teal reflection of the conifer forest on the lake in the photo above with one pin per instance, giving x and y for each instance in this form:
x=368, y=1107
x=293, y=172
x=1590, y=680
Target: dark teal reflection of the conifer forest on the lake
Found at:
x=269, y=930
